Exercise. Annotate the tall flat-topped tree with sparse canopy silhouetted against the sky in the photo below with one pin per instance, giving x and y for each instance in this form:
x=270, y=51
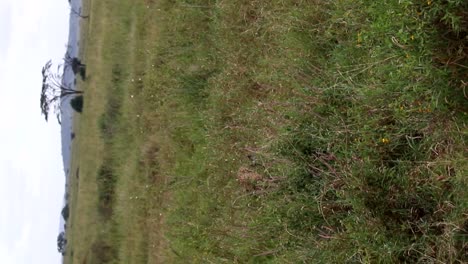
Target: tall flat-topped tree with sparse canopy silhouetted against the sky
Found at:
x=54, y=91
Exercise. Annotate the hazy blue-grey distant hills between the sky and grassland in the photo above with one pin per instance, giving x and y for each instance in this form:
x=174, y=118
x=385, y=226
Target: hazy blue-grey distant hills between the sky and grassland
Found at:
x=69, y=80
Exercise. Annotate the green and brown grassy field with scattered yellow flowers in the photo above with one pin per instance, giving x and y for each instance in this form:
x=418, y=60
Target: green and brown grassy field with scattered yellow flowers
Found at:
x=271, y=131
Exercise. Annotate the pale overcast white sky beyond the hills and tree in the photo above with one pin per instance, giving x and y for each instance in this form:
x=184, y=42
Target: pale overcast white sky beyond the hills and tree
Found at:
x=32, y=181
